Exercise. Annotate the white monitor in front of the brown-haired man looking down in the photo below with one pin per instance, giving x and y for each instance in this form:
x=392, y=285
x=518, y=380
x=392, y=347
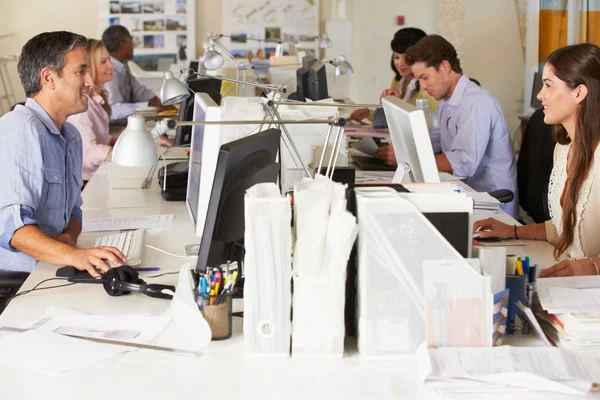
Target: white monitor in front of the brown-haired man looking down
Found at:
x=412, y=145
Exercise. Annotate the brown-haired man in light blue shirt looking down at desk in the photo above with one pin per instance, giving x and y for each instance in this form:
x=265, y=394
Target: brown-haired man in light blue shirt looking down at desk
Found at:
x=475, y=142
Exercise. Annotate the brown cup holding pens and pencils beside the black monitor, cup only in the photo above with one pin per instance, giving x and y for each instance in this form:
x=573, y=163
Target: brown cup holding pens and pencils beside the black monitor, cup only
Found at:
x=217, y=312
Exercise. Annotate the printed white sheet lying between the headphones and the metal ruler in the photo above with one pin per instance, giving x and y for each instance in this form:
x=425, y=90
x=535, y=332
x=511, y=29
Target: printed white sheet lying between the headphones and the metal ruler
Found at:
x=127, y=328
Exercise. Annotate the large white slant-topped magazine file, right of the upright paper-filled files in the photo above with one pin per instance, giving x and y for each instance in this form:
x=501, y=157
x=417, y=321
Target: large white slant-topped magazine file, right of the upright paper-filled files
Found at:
x=394, y=240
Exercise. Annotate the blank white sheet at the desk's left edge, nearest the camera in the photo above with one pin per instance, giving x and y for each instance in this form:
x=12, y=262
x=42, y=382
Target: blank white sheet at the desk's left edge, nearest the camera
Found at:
x=53, y=354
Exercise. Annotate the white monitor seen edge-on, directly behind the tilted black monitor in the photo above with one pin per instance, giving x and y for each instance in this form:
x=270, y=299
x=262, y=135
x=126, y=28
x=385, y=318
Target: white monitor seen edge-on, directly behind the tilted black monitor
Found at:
x=205, y=109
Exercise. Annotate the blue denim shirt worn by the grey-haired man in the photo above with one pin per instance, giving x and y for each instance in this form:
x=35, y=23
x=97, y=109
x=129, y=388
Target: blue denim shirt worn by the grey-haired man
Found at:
x=41, y=178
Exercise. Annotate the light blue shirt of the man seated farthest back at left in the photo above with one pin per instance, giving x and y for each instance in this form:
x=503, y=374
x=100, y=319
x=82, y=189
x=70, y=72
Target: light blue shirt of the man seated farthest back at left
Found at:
x=125, y=93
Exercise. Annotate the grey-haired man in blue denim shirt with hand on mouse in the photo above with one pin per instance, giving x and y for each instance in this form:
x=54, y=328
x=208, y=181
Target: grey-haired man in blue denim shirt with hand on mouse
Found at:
x=41, y=157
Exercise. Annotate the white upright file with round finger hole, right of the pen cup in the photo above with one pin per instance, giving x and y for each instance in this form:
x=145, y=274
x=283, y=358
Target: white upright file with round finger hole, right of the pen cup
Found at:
x=268, y=268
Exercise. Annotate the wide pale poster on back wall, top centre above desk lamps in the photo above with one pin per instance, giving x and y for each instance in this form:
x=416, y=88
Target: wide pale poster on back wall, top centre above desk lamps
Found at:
x=257, y=26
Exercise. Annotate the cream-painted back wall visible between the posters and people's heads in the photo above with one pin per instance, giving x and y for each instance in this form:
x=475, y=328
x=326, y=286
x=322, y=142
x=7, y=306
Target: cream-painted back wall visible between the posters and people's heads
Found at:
x=491, y=51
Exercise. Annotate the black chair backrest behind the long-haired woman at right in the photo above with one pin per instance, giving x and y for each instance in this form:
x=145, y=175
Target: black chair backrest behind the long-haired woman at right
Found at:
x=535, y=166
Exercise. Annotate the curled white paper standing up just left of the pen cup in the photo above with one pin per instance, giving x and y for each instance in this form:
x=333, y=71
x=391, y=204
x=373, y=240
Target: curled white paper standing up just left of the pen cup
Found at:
x=188, y=329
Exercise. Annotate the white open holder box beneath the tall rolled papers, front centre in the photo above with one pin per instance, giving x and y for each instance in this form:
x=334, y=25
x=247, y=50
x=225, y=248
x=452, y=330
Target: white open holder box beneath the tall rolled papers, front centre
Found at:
x=318, y=318
